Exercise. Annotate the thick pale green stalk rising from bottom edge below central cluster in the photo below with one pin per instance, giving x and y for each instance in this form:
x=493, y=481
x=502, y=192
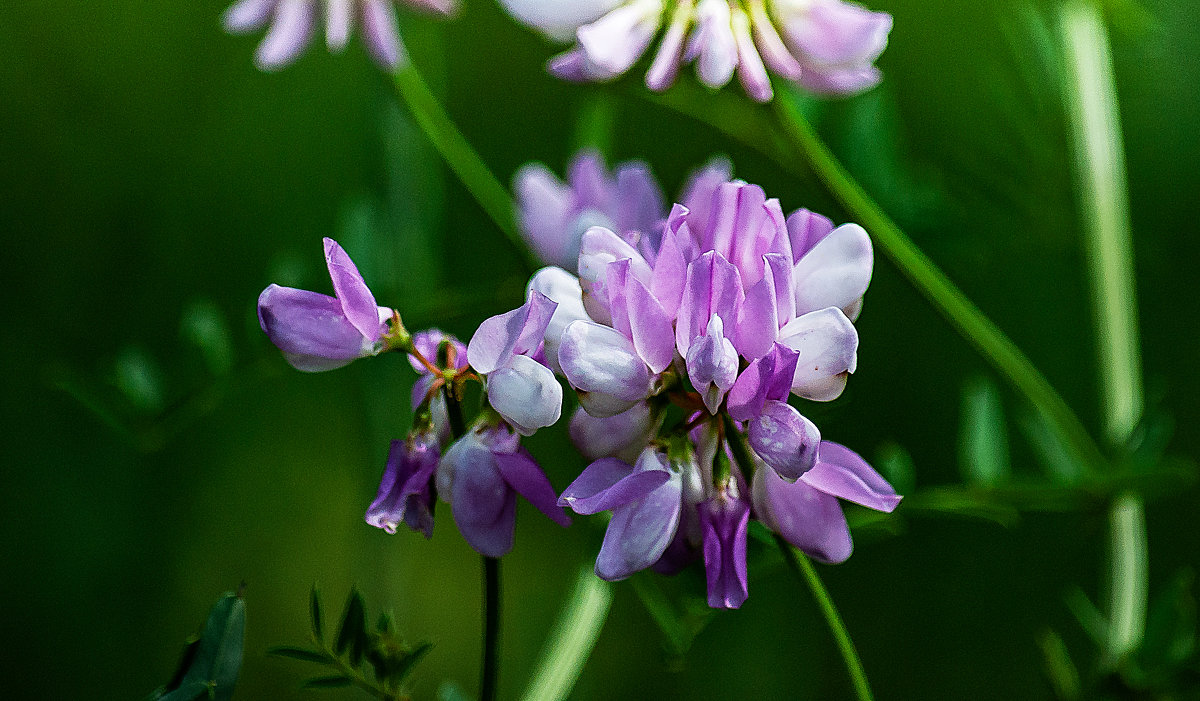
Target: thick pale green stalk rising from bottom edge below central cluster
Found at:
x=573, y=639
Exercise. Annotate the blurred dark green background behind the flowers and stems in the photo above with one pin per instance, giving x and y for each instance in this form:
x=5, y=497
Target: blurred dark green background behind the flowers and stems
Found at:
x=158, y=451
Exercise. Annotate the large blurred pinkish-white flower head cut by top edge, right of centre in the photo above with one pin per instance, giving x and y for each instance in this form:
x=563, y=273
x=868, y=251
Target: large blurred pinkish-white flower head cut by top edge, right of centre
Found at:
x=826, y=46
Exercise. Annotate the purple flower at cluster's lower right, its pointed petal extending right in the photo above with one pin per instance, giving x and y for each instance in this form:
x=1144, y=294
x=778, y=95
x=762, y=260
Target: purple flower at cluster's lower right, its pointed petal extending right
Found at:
x=807, y=512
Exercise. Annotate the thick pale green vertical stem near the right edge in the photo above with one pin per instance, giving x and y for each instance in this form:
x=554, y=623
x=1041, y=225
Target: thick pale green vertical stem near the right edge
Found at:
x=1105, y=207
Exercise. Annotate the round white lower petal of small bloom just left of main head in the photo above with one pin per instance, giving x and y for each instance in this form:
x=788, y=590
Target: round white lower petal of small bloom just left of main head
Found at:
x=526, y=394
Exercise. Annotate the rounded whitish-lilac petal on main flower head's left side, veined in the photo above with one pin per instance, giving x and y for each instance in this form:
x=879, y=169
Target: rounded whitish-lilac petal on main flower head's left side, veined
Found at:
x=599, y=360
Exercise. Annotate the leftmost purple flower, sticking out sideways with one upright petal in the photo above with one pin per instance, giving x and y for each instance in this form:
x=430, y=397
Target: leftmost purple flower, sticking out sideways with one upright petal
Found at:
x=317, y=332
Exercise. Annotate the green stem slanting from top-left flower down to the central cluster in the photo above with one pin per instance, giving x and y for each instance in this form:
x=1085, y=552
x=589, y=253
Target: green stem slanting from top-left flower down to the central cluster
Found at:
x=459, y=154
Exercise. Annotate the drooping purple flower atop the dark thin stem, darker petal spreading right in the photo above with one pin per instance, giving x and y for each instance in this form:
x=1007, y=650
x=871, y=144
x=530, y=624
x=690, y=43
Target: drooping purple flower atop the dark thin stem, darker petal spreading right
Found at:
x=481, y=476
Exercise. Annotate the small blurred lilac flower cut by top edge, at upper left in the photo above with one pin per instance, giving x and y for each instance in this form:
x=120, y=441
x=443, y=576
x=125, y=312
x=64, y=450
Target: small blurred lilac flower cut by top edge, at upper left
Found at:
x=293, y=23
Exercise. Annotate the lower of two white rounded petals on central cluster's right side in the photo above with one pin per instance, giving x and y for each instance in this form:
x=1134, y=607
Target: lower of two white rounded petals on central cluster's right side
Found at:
x=829, y=351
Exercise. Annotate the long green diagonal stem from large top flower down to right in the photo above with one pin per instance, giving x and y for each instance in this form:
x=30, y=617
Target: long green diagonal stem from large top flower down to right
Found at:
x=938, y=289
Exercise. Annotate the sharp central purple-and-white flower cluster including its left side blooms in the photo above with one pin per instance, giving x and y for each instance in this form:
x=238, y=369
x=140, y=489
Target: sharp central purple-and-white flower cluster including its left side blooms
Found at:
x=683, y=337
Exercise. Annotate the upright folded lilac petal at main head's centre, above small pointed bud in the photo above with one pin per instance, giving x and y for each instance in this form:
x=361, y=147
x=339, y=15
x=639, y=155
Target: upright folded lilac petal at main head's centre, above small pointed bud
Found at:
x=713, y=289
